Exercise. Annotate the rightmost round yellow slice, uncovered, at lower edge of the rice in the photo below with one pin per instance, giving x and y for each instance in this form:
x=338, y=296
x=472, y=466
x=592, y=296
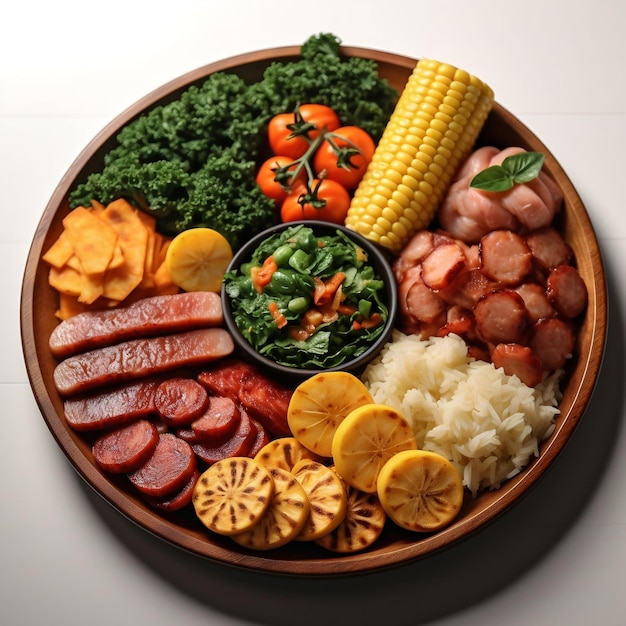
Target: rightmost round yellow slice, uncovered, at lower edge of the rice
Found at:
x=420, y=490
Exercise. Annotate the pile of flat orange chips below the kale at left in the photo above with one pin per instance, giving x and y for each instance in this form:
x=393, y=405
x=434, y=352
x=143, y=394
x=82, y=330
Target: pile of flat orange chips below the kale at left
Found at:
x=105, y=255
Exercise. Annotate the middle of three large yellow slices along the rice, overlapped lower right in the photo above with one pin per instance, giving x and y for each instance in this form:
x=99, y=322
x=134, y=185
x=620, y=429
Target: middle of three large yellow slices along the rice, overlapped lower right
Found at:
x=366, y=439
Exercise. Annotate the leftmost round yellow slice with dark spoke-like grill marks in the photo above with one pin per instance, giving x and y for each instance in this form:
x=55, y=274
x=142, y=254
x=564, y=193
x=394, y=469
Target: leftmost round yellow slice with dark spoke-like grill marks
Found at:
x=232, y=495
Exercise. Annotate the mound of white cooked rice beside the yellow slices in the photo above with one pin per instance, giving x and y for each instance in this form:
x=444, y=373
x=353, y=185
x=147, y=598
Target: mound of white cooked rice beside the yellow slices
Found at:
x=487, y=423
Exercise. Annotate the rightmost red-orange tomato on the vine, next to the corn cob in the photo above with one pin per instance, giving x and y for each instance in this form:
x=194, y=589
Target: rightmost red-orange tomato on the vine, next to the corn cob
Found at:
x=348, y=164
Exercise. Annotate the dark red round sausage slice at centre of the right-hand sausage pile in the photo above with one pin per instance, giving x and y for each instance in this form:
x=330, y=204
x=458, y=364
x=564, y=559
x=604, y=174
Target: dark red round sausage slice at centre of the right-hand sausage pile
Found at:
x=501, y=317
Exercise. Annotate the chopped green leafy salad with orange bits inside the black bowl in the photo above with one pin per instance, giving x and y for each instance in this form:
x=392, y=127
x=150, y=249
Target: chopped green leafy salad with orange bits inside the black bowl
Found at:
x=308, y=301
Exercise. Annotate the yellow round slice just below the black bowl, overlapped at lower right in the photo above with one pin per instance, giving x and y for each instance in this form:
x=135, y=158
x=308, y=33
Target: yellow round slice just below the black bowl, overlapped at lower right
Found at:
x=320, y=403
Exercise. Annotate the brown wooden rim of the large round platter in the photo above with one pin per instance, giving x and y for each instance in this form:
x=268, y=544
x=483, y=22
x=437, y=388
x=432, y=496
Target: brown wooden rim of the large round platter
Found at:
x=406, y=548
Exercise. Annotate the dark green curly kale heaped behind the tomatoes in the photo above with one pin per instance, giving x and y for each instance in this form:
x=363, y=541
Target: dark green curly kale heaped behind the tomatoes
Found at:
x=191, y=162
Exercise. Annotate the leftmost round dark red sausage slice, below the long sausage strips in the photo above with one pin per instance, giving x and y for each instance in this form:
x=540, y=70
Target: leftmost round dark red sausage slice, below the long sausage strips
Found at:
x=126, y=448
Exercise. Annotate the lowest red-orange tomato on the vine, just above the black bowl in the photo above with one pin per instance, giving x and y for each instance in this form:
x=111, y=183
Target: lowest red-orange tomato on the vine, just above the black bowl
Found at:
x=327, y=200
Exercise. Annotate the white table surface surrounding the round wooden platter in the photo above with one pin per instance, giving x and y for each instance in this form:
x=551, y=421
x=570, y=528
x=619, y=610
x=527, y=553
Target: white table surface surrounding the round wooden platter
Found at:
x=68, y=68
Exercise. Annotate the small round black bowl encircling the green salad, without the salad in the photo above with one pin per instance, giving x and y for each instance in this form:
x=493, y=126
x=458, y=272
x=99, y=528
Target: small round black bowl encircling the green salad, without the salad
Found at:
x=376, y=258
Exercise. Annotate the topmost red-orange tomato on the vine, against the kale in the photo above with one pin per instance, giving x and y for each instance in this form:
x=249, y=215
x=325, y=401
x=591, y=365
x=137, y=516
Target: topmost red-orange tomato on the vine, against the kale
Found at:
x=307, y=121
